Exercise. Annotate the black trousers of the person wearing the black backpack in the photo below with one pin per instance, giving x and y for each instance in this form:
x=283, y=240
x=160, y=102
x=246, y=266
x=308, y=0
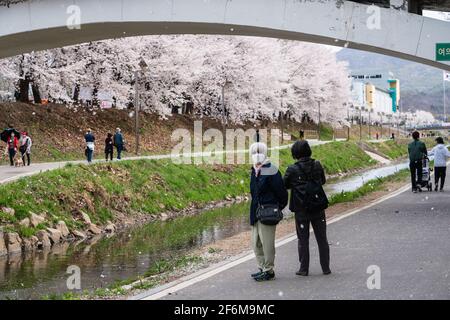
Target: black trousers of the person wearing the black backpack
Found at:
x=320, y=232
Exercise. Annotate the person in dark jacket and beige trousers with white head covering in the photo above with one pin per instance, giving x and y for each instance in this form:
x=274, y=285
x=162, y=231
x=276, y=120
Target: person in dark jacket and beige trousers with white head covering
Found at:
x=266, y=187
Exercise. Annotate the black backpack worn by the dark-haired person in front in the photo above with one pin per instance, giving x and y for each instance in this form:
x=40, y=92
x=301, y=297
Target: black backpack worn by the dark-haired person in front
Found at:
x=311, y=193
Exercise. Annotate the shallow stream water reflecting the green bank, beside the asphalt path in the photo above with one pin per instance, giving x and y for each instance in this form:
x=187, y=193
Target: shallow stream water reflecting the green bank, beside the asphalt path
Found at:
x=129, y=254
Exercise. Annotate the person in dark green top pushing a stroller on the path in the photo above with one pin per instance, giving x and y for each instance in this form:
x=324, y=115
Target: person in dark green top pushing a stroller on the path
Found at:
x=416, y=151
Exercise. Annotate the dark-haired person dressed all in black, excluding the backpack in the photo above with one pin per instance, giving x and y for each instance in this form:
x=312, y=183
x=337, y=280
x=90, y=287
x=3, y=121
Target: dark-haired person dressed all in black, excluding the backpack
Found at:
x=295, y=178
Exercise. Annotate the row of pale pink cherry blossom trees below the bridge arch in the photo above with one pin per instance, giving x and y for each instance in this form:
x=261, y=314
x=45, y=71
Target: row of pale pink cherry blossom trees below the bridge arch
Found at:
x=260, y=78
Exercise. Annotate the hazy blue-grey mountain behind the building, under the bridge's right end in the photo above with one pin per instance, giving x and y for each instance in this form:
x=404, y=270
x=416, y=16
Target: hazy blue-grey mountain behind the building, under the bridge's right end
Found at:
x=420, y=85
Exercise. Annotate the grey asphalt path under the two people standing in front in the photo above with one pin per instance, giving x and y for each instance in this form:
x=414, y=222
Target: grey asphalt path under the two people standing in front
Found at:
x=407, y=237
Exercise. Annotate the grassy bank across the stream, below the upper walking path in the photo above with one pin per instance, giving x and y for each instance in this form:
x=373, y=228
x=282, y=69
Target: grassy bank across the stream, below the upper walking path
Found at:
x=144, y=186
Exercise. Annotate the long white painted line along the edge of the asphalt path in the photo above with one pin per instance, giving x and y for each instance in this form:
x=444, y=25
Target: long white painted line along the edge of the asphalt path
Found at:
x=201, y=275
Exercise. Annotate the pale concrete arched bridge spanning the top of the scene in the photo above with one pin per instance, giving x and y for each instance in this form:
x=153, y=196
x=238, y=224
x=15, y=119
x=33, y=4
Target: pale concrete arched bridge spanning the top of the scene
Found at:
x=33, y=25
